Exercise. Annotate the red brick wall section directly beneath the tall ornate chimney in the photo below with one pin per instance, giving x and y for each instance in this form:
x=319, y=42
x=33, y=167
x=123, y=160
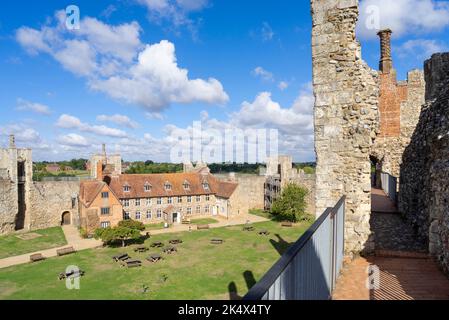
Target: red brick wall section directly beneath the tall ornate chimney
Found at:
x=391, y=97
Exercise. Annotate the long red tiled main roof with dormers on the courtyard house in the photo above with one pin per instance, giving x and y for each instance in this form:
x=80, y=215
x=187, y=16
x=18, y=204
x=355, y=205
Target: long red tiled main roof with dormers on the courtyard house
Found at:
x=137, y=183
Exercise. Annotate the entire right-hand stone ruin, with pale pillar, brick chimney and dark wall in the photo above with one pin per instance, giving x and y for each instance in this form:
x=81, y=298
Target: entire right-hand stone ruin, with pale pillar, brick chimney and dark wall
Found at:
x=363, y=115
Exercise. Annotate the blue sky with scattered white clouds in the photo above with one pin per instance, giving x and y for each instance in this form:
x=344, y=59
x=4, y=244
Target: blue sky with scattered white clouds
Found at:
x=122, y=78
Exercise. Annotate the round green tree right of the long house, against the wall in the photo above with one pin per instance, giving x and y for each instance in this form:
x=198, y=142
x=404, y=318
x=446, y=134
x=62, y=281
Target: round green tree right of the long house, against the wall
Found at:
x=291, y=205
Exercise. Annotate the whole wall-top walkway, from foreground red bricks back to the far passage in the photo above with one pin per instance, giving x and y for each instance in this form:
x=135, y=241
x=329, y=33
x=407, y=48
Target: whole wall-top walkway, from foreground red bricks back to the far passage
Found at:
x=405, y=270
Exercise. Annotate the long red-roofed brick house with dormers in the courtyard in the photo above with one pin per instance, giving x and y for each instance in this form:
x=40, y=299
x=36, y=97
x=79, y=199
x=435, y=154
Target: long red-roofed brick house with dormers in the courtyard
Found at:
x=153, y=198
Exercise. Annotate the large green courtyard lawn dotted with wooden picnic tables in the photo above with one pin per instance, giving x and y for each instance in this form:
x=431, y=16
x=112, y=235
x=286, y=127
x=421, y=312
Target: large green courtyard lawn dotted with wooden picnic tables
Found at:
x=199, y=270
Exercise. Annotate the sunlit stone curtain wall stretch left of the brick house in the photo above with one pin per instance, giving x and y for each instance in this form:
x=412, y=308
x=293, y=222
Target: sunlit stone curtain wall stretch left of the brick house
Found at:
x=49, y=200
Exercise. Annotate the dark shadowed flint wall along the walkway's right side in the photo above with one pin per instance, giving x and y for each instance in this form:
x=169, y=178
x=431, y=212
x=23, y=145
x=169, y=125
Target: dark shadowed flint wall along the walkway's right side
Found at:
x=424, y=187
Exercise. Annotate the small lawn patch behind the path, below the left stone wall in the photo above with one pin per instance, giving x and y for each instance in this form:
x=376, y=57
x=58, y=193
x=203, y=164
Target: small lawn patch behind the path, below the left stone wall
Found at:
x=11, y=245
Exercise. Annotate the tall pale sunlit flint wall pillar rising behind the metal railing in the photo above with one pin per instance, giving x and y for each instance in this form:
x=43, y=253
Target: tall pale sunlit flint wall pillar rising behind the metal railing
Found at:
x=346, y=118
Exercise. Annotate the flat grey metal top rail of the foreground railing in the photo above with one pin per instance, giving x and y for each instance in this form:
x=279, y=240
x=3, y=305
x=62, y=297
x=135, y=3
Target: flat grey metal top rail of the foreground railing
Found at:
x=260, y=288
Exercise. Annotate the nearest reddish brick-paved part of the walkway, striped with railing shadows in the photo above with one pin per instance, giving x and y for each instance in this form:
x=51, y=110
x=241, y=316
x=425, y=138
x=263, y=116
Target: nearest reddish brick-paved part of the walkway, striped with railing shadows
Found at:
x=400, y=279
